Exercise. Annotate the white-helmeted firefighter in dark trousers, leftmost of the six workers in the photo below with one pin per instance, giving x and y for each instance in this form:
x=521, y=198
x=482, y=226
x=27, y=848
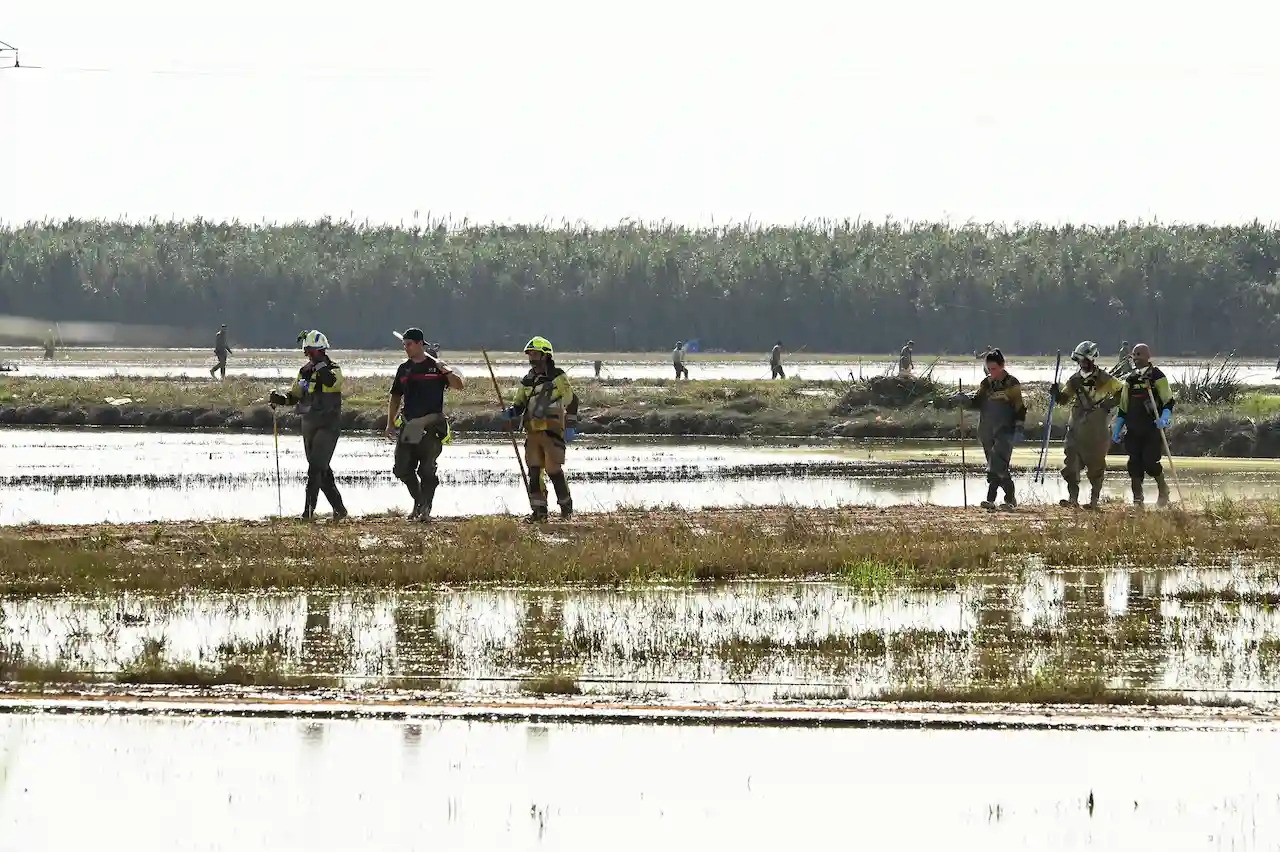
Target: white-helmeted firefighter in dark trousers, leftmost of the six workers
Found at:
x=318, y=396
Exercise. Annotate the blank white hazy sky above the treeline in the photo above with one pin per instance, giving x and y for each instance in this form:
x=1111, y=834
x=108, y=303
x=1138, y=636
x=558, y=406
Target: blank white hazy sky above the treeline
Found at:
x=601, y=111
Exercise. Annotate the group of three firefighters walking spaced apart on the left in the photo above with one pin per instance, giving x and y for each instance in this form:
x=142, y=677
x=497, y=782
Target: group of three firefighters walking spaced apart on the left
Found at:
x=545, y=406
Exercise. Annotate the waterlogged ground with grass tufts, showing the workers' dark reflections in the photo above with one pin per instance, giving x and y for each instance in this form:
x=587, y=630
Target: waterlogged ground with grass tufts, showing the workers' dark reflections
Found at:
x=1201, y=633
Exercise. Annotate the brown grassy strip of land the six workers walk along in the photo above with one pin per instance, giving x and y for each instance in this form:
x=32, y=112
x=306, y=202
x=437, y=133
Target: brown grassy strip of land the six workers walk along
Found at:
x=918, y=547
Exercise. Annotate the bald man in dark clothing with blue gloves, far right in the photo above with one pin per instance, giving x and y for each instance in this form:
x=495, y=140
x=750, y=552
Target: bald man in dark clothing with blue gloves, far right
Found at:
x=1146, y=409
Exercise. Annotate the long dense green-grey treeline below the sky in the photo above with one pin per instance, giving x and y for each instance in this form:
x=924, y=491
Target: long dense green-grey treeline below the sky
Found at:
x=836, y=287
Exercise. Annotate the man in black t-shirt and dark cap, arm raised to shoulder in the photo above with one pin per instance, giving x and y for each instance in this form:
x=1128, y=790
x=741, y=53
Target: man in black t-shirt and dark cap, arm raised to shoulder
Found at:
x=415, y=420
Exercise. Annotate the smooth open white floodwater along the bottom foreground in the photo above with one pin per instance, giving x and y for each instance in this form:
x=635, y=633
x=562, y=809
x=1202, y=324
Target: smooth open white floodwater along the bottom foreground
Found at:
x=282, y=785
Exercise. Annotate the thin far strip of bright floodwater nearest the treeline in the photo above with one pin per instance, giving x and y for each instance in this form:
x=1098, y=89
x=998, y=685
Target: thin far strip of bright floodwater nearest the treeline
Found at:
x=282, y=364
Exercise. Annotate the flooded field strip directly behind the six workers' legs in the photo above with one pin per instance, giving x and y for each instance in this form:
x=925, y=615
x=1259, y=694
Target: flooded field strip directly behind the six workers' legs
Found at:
x=98, y=475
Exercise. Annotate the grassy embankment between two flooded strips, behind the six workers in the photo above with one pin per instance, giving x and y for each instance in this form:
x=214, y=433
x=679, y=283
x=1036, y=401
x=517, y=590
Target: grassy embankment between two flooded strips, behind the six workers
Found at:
x=868, y=410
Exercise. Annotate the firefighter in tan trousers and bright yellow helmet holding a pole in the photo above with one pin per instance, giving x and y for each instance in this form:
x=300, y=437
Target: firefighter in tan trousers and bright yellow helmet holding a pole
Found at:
x=542, y=406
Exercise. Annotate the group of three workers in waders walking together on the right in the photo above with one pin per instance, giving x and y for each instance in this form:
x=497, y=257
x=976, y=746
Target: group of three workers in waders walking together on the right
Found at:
x=1144, y=404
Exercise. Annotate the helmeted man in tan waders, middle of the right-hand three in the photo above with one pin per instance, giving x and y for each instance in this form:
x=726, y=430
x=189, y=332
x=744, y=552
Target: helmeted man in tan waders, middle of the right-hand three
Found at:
x=1092, y=393
